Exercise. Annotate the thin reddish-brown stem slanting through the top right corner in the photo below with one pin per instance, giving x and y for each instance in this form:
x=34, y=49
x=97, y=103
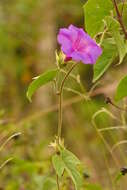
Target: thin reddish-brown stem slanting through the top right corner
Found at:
x=120, y=18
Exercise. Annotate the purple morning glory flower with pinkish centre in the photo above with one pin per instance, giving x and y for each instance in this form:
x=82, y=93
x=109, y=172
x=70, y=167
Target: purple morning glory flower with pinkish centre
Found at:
x=77, y=45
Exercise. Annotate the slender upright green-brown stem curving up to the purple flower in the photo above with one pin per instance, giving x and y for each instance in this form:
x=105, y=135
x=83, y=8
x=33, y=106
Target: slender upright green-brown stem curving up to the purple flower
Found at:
x=60, y=93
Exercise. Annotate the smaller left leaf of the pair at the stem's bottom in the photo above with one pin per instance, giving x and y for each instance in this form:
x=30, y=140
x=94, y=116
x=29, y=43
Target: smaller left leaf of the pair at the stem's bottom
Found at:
x=58, y=164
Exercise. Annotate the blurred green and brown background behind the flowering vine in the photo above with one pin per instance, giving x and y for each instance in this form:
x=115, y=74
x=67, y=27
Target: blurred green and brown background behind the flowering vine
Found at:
x=28, y=39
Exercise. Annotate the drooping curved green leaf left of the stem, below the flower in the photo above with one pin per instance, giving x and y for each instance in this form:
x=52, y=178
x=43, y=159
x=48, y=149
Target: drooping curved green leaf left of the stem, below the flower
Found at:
x=40, y=81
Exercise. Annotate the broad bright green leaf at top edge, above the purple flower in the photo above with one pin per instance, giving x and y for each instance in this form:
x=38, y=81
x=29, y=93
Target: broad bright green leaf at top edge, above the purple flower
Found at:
x=95, y=11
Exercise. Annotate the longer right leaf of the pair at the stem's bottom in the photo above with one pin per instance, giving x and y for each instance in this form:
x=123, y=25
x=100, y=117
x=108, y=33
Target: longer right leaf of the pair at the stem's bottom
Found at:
x=70, y=162
